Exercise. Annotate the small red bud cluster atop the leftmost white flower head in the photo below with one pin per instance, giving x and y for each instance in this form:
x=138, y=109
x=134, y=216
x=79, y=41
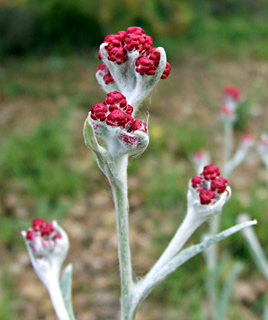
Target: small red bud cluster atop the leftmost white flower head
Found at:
x=42, y=229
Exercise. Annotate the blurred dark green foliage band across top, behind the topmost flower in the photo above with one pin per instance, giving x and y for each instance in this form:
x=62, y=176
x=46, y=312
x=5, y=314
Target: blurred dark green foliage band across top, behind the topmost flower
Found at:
x=64, y=26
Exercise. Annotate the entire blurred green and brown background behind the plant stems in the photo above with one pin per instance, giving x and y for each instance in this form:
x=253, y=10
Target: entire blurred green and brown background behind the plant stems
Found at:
x=48, y=60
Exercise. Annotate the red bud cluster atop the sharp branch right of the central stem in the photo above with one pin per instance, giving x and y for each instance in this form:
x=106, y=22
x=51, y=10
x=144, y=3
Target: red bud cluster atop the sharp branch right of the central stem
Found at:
x=209, y=184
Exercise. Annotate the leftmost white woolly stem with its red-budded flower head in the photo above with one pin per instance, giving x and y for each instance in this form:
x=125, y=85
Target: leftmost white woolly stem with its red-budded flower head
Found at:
x=47, y=245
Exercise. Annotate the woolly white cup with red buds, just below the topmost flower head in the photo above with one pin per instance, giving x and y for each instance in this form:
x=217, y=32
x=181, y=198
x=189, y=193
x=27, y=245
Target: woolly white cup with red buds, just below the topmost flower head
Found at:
x=114, y=123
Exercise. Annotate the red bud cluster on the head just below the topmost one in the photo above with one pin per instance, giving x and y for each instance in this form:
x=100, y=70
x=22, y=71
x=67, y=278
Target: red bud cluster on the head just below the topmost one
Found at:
x=117, y=113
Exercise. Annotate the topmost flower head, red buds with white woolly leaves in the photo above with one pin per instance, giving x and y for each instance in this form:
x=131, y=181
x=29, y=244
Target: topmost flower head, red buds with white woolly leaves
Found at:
x=131, y=65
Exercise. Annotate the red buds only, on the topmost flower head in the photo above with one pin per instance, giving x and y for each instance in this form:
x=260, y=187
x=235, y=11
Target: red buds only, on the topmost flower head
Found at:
x=134, y=38
